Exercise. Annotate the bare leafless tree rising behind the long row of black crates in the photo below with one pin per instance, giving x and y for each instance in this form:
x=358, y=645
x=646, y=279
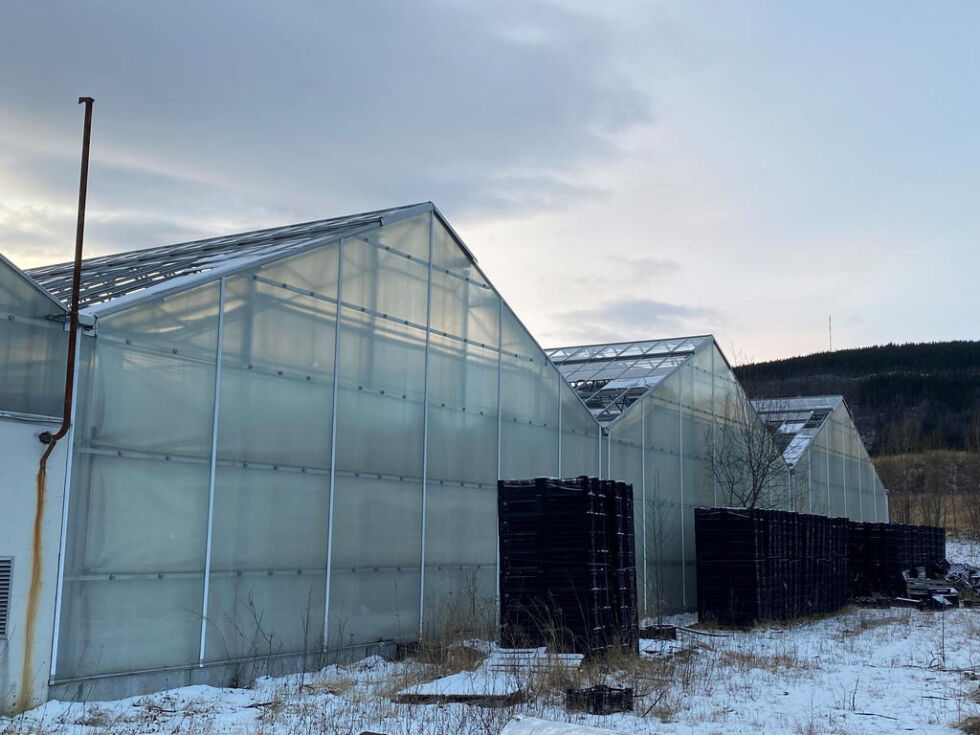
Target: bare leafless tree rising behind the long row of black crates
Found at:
x=746, y=458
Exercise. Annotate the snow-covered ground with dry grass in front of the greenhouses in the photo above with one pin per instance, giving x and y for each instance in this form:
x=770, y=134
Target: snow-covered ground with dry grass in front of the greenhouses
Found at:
x=863, y=671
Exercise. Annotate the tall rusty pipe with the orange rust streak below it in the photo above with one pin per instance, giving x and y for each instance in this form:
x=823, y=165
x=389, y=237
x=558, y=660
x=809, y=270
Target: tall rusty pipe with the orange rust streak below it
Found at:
x=25, y=695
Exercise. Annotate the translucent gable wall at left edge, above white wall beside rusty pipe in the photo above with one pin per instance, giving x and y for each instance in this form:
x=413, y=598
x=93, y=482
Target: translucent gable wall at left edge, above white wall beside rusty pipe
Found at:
x=33, y=348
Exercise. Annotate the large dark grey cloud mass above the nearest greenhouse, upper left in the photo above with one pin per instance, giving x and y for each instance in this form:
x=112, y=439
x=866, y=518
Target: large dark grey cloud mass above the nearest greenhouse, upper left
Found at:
x=310, y=110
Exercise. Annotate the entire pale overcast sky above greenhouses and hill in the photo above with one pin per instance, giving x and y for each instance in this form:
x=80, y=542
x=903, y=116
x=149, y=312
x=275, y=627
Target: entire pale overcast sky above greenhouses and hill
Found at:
x=622, y=170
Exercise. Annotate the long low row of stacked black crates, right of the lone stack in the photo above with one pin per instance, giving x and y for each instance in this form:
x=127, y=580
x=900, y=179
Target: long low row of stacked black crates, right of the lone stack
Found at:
x=756, y=564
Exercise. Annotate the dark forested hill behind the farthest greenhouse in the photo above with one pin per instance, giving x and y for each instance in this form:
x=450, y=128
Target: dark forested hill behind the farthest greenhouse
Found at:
x=906, y=397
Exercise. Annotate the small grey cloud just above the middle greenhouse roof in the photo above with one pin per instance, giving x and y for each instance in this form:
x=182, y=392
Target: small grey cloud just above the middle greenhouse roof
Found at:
x=637, y=318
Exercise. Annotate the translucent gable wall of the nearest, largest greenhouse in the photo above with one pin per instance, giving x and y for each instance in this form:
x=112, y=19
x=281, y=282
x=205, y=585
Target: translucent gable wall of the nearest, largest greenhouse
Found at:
x=249, y=481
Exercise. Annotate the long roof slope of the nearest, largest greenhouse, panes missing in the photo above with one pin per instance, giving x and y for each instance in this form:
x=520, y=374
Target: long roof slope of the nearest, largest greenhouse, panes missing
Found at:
x=111, y=277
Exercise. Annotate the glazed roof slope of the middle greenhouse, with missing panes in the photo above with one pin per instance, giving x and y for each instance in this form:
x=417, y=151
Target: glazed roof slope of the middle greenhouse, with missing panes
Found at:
x=611, y=377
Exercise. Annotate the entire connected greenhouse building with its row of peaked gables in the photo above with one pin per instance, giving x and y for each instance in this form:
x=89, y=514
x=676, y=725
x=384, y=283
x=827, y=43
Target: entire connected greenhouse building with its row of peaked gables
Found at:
x=285, y=446
